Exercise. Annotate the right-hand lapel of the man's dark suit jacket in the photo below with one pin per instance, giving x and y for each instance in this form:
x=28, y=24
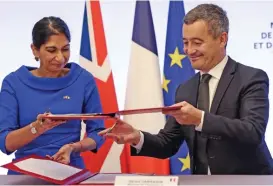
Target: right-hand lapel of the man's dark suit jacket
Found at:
x=223, y=84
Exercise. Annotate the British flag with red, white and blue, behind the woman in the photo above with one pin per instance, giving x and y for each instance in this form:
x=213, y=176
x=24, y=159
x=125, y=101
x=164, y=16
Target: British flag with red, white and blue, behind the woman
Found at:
x=94, y=58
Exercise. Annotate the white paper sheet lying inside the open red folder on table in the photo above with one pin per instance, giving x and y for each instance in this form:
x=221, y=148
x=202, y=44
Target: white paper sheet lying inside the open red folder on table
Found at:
x=47, y=168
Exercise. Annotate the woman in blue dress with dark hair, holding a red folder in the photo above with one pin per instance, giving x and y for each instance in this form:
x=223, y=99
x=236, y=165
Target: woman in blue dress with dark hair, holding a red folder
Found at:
x=56, y=86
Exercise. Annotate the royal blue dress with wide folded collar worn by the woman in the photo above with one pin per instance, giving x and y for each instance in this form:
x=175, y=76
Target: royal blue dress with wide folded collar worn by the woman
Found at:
x=23, y=96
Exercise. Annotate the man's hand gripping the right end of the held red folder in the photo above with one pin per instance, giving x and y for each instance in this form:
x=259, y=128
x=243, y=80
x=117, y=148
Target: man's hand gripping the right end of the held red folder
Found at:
x=187, y=115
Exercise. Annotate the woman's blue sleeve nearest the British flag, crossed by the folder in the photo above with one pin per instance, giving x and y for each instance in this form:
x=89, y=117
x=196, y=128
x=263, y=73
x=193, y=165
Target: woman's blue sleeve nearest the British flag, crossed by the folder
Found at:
x=92, y=104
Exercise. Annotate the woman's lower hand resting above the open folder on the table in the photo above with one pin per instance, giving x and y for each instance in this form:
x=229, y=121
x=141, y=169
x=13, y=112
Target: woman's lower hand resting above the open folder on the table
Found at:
x=63, y=155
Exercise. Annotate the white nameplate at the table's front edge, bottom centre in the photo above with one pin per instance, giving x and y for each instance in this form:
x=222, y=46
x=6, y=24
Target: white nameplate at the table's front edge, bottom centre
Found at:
x=147, y=180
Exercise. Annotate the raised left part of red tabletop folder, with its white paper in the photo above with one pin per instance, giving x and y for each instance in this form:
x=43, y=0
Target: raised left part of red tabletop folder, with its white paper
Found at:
x=49, y=170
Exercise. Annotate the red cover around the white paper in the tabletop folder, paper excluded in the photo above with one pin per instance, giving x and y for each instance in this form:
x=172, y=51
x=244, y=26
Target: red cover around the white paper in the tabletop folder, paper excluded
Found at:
x=82, y=175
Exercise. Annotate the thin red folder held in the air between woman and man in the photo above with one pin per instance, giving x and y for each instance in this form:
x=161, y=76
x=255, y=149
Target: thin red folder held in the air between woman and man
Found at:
x=90, y=116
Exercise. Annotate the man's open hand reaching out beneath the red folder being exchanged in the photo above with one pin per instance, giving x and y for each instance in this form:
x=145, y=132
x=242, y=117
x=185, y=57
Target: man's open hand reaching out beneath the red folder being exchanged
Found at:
x=122, y=133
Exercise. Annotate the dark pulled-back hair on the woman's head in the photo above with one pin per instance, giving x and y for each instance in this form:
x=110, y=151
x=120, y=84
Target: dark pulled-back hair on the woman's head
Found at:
x=47, y=27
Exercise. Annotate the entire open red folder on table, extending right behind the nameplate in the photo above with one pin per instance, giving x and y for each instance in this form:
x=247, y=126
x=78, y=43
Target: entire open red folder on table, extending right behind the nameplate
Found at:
x=61, y=174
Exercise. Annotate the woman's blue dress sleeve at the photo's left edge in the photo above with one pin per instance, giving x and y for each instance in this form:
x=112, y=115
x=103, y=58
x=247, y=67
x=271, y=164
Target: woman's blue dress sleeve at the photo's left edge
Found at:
x=8, y=114
